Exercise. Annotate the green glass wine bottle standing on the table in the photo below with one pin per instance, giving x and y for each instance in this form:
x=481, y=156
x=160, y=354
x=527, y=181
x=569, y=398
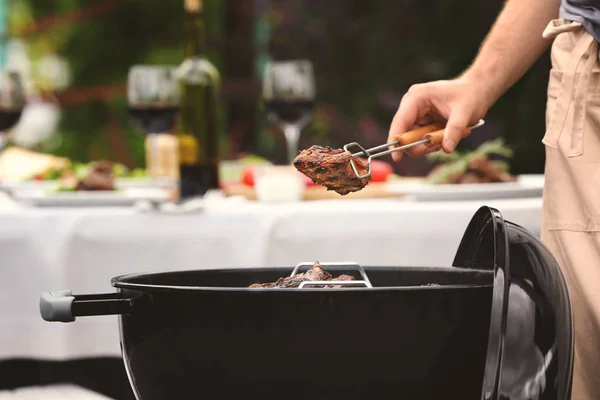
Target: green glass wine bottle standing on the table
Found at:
x=199, y=81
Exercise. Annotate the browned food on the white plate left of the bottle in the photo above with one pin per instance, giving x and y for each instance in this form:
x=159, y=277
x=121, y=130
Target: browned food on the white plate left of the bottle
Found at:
x=99, y=176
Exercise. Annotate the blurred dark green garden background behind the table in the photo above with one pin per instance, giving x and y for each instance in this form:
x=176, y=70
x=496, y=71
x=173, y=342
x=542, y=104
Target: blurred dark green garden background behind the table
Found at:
x=366, y=55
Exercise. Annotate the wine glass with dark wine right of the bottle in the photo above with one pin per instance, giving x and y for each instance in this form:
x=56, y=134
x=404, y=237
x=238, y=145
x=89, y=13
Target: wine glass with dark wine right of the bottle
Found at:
x=289, y=94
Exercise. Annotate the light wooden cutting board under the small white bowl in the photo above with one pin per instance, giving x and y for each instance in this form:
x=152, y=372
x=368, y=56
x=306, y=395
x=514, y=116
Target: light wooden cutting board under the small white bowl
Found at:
x=372, y=191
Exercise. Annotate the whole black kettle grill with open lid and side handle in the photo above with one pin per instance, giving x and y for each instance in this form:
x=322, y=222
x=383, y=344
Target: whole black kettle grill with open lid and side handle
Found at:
x=496, y=325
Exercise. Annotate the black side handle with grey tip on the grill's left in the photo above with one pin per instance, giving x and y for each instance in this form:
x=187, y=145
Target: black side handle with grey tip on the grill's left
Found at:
x=64, y=306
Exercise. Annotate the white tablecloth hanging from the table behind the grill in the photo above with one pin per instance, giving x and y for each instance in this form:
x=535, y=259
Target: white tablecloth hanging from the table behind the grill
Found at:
x=82, y=249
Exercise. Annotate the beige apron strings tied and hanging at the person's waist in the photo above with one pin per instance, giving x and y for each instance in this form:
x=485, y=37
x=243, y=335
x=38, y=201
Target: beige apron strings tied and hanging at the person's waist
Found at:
x=586, y=48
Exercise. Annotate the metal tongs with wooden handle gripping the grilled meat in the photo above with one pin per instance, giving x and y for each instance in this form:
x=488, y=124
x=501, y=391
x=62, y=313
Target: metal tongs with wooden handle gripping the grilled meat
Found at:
x=429, y=135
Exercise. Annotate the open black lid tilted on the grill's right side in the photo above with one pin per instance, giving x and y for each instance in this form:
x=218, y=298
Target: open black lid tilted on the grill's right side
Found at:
x=530, y=344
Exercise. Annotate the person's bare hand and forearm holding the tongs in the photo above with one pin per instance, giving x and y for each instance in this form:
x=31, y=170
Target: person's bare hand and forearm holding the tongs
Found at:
x=514, y=43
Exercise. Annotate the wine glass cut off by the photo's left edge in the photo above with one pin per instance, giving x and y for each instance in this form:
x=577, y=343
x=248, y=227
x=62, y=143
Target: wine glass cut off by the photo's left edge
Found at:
x=12, y=102
